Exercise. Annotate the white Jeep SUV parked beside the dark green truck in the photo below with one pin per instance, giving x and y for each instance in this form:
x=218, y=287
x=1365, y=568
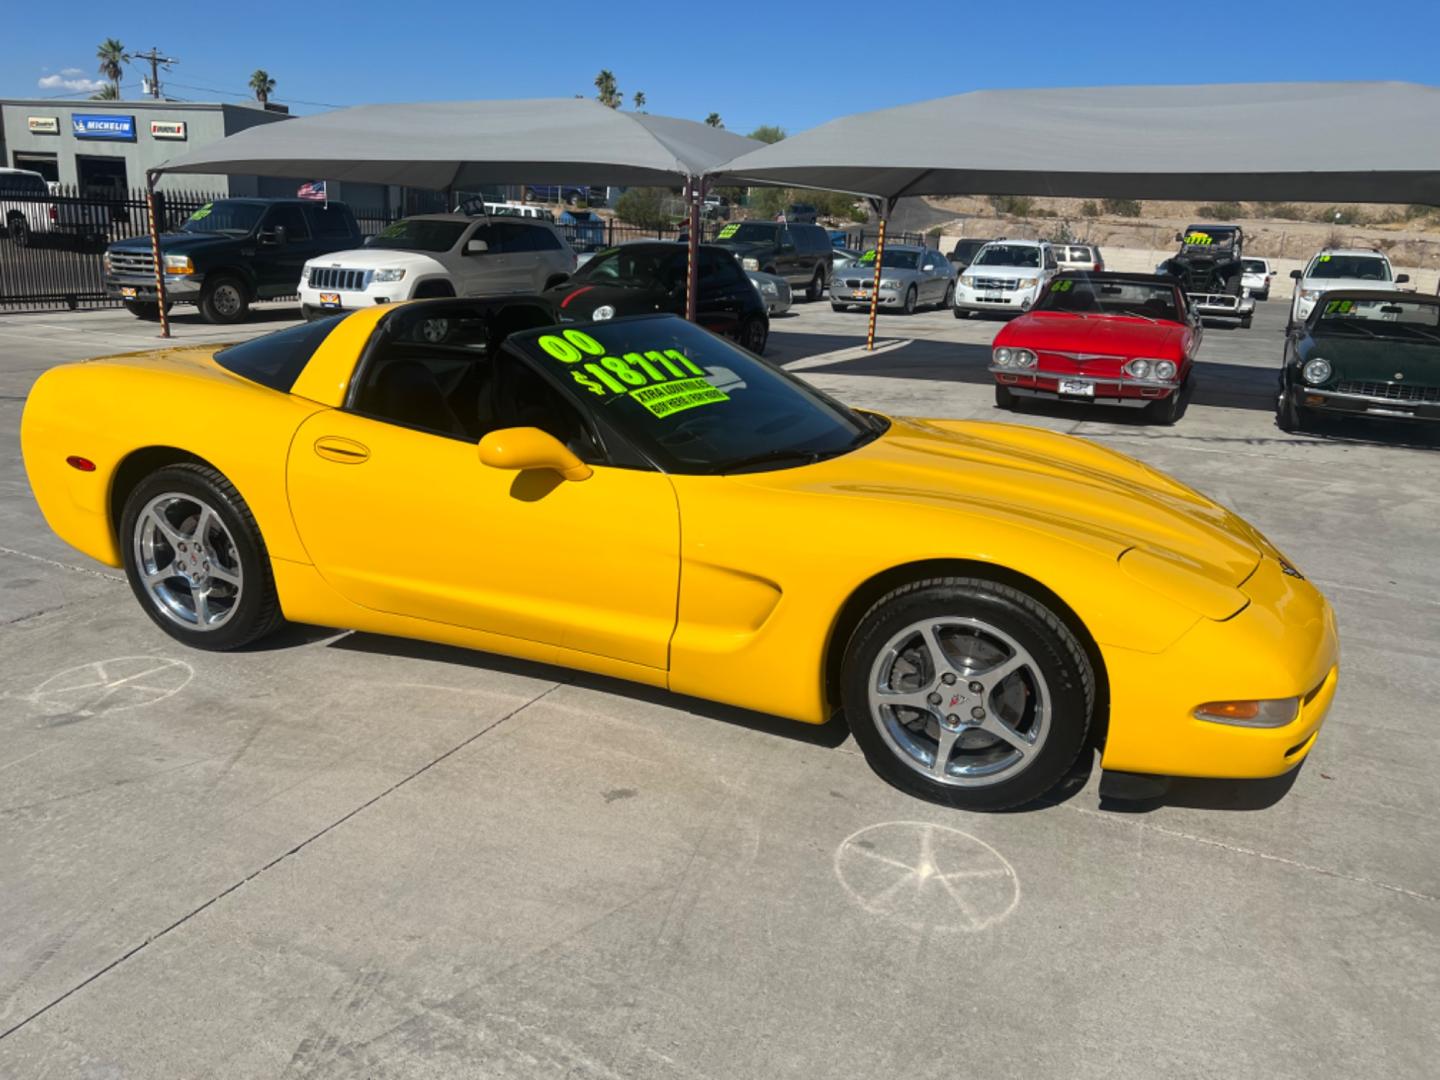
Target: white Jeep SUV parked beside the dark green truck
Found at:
x=438, y=256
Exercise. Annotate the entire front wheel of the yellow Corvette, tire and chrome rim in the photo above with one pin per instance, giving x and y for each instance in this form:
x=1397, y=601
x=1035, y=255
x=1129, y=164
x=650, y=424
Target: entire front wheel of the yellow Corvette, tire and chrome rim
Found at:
x=968, y=693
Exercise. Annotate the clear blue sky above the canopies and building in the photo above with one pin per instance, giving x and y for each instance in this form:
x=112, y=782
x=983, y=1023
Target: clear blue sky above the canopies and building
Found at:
x=754, y=64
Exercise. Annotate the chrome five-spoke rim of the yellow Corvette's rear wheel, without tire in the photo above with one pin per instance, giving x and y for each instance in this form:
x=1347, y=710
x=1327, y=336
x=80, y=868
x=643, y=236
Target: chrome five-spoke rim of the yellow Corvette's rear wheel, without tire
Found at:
x=188, y=562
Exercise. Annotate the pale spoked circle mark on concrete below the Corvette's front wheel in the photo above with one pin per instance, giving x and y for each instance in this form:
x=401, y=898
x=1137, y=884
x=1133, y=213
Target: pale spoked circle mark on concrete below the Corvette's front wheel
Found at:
x=927, y=878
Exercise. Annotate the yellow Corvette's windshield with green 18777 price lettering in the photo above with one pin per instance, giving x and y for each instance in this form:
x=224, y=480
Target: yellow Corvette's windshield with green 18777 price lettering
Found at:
x=693, y=402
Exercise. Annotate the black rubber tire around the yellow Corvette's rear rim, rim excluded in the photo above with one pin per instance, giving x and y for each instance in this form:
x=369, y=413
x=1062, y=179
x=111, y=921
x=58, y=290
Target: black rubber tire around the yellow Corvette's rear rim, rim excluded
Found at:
x=257, y=614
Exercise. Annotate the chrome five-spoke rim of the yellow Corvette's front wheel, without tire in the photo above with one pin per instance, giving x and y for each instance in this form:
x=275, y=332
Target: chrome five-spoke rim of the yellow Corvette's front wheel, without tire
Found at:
x=960, y=702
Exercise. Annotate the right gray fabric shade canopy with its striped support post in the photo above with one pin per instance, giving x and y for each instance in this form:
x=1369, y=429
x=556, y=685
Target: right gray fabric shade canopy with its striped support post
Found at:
x=1343, y=142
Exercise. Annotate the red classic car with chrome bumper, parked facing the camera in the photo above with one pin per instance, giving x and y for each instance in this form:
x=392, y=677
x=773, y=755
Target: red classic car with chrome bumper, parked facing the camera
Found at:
x=1110, y=339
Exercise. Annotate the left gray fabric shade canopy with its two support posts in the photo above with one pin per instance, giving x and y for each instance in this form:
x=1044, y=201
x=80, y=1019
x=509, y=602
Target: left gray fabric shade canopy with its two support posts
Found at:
x=447, y=145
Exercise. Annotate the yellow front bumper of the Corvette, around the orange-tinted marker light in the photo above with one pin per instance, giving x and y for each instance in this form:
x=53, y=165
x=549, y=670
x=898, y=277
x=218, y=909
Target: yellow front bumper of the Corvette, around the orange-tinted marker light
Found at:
x=1282, y=644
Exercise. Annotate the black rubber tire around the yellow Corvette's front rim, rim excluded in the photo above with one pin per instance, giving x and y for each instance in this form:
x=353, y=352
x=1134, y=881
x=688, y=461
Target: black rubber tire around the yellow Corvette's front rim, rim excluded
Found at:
x=1053, y=647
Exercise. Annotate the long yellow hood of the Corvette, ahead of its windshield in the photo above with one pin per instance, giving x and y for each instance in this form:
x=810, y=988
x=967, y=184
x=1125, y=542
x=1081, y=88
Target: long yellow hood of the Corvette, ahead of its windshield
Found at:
x=1048, y=482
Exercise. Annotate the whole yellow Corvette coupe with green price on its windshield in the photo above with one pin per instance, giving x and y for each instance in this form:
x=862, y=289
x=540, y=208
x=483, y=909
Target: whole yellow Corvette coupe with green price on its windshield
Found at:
x=643, y=499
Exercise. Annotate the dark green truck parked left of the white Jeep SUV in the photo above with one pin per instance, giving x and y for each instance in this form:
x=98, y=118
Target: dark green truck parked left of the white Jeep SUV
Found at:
x=228, y=256
